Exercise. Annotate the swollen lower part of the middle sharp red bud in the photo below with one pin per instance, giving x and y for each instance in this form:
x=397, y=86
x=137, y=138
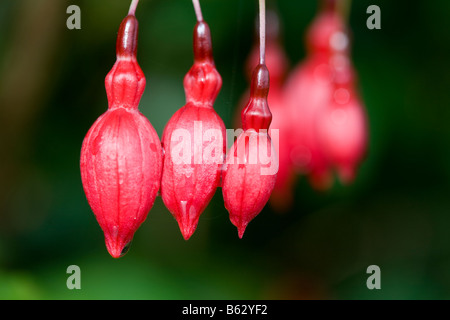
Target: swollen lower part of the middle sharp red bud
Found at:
x=194, y=146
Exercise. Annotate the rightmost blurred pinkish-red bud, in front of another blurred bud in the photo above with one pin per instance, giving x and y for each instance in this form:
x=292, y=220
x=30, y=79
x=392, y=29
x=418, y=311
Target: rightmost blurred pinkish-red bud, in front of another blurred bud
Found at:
x=342, y=127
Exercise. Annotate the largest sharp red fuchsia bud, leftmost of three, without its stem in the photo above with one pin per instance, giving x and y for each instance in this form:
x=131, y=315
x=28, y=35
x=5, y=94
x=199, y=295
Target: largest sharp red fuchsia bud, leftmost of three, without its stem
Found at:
x=121, y=156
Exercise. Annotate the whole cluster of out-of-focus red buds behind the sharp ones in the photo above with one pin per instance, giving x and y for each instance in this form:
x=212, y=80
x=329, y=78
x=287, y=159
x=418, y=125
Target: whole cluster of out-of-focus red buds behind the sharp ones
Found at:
x=320, y=118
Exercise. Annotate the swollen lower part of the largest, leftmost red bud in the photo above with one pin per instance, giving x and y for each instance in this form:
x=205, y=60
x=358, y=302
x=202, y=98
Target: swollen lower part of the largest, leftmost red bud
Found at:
x=120, y=170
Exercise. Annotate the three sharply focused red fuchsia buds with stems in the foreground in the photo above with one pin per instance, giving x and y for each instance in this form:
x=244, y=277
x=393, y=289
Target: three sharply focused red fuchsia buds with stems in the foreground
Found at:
x=124, y=164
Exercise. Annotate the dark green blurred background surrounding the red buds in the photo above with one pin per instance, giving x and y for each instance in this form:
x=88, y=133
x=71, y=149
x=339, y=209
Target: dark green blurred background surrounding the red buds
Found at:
x=396, y=215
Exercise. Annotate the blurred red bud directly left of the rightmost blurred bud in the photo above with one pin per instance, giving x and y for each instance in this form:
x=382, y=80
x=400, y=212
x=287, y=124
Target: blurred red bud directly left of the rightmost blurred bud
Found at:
x=308, y=92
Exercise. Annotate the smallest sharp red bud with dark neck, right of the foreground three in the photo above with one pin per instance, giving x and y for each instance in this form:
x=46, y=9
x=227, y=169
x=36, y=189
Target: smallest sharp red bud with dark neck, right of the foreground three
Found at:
x=252, y=164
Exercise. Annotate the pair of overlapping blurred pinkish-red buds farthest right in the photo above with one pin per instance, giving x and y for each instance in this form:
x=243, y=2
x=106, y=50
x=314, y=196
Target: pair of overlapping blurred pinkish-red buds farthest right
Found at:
x=326, y=136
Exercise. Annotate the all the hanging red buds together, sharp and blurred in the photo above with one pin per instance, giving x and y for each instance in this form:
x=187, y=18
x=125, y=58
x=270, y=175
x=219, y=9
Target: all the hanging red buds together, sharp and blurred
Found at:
x=319, y=127
